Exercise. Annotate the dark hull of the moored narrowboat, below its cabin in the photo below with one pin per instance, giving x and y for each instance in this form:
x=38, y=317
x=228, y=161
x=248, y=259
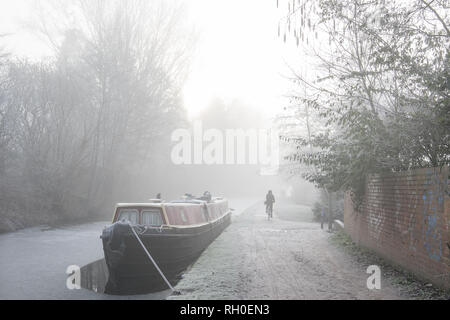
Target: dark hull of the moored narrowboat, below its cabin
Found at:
x=173, y=249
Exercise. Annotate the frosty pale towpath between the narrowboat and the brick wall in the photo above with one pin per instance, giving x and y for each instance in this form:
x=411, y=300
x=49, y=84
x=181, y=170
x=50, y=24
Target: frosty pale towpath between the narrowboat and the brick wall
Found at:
x=289, y=257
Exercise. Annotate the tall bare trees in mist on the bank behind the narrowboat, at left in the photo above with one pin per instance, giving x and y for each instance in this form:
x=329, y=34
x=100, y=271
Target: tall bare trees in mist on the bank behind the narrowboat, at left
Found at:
x=83, y=126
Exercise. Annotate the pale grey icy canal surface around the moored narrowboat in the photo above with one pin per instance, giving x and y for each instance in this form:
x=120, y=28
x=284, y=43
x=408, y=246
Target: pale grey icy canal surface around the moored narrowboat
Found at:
x=33, y=261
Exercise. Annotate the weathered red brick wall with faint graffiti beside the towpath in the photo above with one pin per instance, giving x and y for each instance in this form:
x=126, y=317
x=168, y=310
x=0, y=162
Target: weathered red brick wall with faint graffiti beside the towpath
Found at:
x=405, y=217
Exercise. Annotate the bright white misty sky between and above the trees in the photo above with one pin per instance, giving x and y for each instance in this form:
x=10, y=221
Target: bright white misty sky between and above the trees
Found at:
x=238, y=56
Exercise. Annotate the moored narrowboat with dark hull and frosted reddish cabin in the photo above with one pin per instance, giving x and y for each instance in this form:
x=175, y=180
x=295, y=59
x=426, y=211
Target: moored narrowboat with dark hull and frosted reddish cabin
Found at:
x=174, y=233
